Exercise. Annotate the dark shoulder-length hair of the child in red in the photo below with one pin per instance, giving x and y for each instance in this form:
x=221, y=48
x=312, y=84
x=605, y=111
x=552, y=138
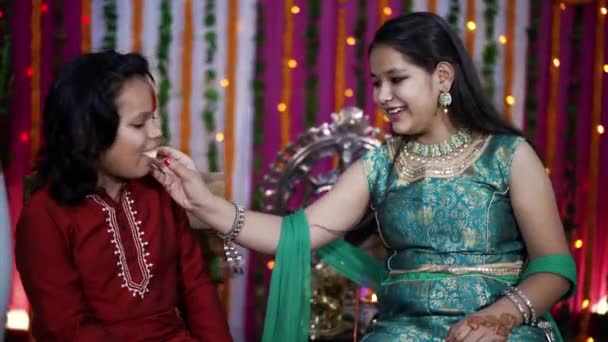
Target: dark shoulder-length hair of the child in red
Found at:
x=81, y=121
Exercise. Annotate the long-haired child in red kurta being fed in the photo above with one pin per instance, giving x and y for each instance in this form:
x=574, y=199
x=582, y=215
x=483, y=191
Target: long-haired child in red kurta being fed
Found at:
x=103, y=252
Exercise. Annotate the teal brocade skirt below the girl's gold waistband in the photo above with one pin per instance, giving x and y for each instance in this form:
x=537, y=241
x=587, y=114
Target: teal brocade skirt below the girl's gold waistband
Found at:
x=423, y=307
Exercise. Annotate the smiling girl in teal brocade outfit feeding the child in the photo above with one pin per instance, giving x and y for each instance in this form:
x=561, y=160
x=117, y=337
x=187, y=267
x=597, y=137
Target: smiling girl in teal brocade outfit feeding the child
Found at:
x=476, y=248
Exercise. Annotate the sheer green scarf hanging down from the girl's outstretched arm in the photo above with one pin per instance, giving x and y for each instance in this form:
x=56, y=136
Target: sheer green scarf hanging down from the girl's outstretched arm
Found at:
x=288, y=309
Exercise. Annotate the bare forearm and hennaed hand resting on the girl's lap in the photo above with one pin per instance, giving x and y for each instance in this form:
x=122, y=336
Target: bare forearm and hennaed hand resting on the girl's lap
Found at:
x=541, y=296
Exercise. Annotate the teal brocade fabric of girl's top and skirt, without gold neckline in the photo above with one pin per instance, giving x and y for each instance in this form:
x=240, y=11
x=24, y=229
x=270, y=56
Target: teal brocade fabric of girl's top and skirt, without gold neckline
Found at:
x=463, y=220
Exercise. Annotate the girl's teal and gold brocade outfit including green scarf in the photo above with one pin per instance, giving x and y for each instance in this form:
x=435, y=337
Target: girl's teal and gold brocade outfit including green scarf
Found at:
x=452, y=239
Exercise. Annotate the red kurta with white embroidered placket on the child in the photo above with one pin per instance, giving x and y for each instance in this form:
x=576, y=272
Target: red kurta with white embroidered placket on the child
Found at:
x=108, y=271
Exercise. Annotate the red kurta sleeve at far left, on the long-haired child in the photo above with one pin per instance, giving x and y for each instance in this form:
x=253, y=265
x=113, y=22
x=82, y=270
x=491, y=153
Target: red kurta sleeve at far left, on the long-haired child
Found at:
x=51, y=281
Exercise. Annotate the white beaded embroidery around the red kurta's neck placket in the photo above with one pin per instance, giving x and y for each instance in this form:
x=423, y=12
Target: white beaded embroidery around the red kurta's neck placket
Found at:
x=139, y=288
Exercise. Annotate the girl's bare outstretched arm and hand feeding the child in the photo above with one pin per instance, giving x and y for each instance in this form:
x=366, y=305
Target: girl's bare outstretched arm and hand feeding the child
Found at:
x=332, y=215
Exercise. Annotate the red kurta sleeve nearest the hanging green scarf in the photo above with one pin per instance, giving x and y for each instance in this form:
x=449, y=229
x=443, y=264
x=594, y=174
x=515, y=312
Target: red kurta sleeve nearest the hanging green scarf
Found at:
x=204, y=313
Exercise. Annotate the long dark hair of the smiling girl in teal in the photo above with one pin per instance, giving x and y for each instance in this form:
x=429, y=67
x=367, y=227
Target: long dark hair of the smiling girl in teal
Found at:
x=425, y=39
